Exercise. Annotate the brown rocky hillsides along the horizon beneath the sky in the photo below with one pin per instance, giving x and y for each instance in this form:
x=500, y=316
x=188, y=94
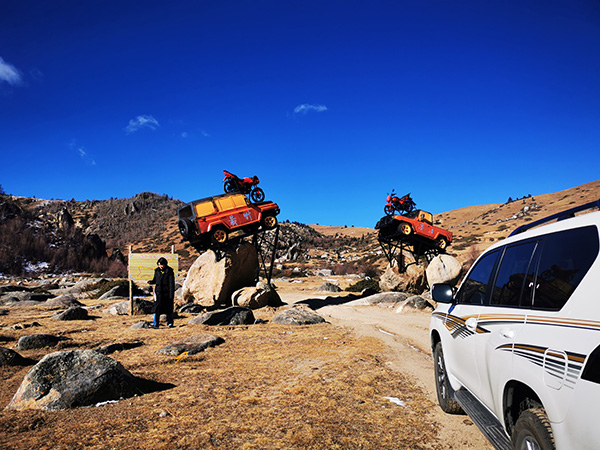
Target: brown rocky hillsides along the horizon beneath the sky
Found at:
x=44, y=235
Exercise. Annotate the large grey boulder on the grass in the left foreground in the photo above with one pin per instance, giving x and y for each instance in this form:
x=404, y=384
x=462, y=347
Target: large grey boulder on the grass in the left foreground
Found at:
x=63, y=380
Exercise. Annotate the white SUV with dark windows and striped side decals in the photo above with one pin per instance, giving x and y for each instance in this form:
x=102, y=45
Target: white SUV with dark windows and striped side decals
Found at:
x=517, y=346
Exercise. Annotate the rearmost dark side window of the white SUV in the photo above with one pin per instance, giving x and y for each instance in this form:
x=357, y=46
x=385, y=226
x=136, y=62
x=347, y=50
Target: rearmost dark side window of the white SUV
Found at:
x=565, y=259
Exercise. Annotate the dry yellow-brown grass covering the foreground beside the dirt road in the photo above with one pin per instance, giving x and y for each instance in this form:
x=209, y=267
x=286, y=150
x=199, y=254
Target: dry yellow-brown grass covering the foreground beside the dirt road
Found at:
x=267, y=387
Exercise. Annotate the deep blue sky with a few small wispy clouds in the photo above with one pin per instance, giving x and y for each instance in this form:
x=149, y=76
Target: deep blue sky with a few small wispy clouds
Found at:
x=330, y=103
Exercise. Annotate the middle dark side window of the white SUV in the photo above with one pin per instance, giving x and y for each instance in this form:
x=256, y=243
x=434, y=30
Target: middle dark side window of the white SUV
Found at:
x=512, y=274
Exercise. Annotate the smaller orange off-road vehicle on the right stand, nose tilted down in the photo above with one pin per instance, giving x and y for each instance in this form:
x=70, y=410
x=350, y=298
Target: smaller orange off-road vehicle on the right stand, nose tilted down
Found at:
x=416, y=226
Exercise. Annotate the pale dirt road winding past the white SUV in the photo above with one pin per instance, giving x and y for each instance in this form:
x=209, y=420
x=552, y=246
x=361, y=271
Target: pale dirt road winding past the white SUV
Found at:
x=406, y=335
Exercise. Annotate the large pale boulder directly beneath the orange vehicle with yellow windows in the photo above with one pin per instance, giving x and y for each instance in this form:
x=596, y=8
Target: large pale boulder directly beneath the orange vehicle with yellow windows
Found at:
x=213, y=277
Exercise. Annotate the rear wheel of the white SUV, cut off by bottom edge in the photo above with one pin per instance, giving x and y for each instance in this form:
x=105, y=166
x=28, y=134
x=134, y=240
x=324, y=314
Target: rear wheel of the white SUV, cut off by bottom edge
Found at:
x=532, y=431
